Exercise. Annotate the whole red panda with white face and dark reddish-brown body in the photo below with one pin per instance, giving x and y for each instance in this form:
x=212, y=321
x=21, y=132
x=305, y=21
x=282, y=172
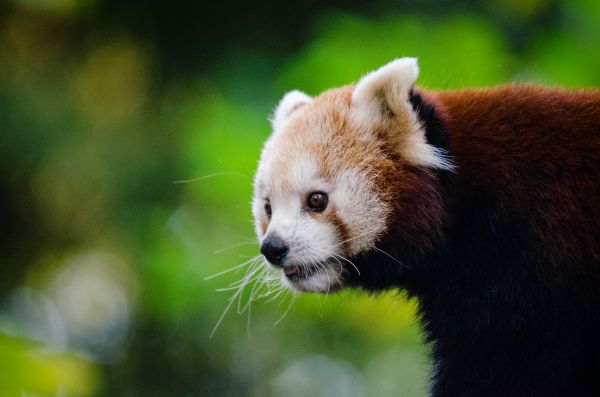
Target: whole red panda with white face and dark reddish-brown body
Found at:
x=484, y=204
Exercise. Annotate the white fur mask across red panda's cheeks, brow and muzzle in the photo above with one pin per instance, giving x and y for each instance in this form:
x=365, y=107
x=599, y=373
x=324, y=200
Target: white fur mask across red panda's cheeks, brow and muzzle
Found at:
x=316, y=245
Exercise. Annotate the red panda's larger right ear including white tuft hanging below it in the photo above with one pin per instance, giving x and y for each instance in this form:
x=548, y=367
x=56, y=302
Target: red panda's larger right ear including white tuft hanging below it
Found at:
x=387, y=89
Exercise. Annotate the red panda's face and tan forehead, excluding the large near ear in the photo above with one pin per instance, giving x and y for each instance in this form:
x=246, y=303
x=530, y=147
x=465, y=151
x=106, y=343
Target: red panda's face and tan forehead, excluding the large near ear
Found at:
x=315, y=202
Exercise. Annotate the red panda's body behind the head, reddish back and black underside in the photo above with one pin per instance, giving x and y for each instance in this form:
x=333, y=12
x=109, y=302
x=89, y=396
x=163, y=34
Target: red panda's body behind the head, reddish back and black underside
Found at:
x=510, y=299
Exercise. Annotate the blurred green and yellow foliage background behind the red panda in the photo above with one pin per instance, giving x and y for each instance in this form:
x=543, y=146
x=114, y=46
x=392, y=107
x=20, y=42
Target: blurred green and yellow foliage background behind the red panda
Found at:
x=106, y=105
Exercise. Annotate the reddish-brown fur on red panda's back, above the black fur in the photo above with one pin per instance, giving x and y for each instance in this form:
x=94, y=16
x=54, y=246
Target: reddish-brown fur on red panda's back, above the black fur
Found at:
x=539, y=149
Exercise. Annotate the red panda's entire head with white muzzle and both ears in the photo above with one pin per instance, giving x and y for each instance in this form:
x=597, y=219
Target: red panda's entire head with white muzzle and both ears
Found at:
x=335, y=174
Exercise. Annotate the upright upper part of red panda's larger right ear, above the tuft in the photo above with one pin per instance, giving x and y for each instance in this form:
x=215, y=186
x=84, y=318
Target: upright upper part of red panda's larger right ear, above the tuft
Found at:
x=384, y=90
